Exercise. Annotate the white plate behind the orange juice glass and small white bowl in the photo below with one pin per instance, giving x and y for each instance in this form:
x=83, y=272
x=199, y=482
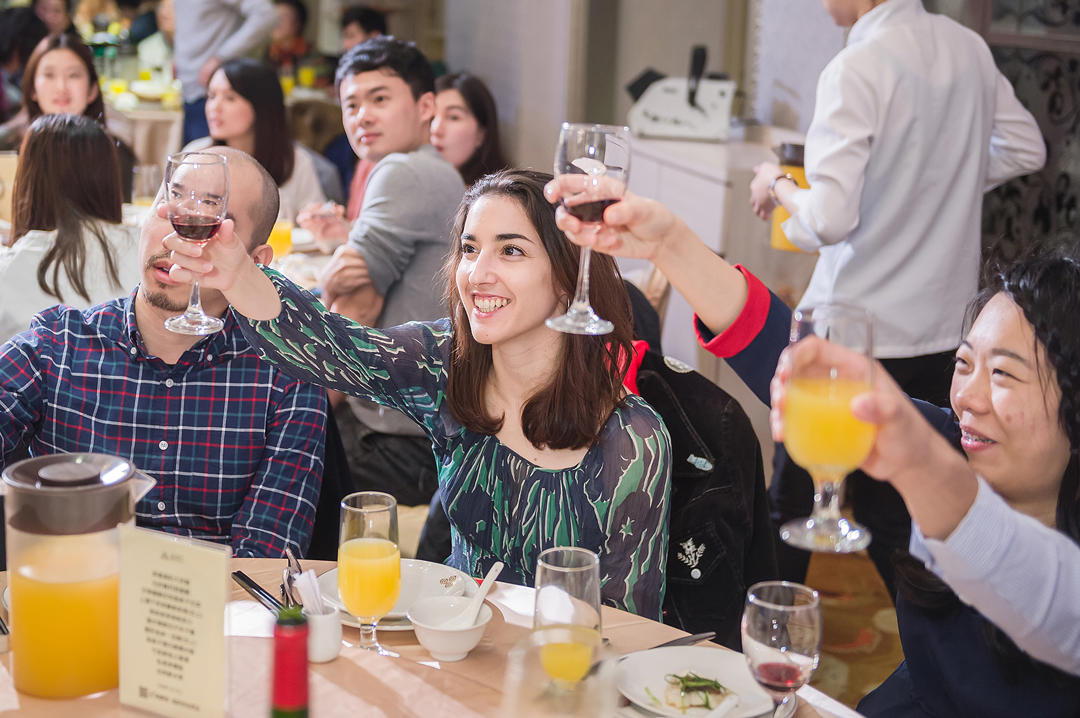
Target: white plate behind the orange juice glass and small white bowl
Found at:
x=420, y=580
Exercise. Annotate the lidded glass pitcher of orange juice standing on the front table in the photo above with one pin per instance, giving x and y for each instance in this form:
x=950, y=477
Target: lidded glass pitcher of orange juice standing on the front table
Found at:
x=63, y=514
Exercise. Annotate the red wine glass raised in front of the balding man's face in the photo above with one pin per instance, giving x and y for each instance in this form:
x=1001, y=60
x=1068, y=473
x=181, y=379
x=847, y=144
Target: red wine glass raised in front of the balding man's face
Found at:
x=197, y=195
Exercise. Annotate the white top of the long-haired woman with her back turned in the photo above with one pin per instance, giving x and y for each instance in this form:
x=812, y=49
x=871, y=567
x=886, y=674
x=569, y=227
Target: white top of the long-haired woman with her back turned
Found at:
x=23, y=297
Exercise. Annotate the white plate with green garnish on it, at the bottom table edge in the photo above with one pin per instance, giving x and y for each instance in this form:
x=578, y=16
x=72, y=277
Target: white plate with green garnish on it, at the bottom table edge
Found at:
x=647, y=670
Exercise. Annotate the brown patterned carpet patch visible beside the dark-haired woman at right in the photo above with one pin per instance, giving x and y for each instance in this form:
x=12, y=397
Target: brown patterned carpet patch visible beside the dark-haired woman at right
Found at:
x=861, y=646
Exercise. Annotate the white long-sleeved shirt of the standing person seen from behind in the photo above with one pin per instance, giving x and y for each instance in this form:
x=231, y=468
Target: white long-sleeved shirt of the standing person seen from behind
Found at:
x=913, y=124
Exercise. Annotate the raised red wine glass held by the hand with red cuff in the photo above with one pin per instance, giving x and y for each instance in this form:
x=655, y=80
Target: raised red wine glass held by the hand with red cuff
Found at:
x=592, y=168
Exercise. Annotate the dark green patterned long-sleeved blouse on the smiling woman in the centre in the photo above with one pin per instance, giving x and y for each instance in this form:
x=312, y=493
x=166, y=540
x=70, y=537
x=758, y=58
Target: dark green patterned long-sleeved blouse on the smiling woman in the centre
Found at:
x=502, y=507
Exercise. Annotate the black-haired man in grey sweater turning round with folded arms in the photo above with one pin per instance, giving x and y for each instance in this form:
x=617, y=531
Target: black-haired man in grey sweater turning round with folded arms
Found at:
x=388, y=272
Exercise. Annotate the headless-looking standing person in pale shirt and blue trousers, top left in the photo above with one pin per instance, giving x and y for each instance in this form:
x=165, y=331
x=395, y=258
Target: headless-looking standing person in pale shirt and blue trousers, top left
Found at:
x=208, y=34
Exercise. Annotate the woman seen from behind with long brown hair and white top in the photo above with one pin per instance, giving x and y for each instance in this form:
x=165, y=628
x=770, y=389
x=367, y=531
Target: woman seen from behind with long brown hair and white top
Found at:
x=71, y=247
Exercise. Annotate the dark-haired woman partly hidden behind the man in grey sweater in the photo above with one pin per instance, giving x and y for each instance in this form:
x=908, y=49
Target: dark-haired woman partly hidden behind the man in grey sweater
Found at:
x=466, y=127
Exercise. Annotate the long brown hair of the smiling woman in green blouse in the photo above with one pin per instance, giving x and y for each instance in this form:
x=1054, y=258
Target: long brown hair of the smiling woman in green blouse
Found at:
x=570, y=412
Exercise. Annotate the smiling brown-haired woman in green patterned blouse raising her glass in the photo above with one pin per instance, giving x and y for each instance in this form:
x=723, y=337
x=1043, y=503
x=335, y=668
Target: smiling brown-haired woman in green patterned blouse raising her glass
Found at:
x=536, y=440
